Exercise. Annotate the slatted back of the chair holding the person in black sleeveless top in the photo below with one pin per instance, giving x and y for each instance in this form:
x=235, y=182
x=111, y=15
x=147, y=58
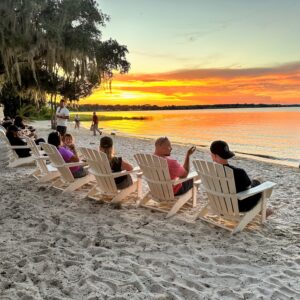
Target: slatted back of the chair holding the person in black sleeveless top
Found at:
x=99, y=166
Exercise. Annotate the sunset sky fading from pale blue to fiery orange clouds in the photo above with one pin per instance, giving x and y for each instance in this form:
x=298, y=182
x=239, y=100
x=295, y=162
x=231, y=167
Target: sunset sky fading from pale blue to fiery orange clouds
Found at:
x=204, y=51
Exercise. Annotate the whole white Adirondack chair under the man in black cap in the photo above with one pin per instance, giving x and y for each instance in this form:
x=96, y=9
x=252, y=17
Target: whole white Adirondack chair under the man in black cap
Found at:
x=219, y=184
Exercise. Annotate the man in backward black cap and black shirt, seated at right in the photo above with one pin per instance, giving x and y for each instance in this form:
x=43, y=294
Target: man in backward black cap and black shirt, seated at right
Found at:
x=220, y=154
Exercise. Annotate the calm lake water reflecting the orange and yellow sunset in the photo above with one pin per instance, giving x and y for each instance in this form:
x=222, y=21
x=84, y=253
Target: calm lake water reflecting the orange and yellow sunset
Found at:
x=267, y=133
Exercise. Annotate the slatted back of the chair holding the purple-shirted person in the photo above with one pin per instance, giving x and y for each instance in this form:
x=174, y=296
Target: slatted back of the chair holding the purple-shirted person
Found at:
x=58, y=162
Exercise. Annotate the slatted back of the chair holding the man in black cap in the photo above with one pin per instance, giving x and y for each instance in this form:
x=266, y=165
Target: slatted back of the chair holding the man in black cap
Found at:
x=219, y=184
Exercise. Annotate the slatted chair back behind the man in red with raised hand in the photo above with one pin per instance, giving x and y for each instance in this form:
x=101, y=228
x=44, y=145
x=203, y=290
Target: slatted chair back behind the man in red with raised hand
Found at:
x=156, y=172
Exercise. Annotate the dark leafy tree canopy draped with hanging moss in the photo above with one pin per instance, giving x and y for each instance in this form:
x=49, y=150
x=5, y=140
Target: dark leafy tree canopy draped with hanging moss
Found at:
x=54, y=48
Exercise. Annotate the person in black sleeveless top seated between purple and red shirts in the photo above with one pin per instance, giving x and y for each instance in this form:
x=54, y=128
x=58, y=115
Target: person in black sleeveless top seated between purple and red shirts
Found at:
x=117, y=164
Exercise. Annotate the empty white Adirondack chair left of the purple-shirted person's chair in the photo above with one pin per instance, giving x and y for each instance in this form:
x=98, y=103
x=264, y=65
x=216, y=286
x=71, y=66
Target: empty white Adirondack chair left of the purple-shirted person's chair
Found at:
x=43, y=172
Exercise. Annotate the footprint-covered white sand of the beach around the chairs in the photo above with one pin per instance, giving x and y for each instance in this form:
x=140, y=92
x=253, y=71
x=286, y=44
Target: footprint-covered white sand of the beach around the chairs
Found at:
x=55, y=246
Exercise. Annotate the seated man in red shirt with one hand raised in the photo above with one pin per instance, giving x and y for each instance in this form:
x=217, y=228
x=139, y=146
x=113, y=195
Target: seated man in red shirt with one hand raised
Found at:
x=163, y=149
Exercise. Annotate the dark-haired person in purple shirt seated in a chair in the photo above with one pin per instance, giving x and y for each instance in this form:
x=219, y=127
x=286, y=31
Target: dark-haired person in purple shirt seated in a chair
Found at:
x=54, y=138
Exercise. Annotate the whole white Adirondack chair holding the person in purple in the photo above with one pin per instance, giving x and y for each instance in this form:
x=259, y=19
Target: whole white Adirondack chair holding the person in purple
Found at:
x=66, y=181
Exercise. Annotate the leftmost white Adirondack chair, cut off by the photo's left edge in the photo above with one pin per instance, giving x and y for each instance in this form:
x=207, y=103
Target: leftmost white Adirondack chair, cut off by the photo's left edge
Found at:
x=13, y=159
